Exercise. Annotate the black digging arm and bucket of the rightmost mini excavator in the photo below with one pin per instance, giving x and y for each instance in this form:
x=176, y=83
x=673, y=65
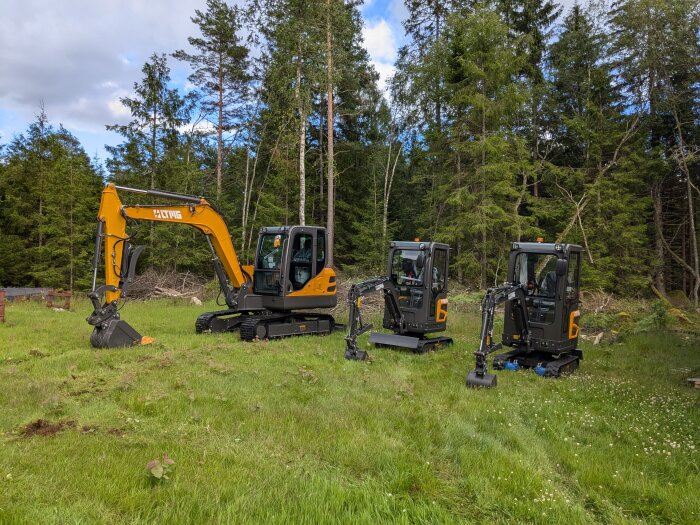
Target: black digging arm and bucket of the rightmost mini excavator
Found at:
x=508, y=292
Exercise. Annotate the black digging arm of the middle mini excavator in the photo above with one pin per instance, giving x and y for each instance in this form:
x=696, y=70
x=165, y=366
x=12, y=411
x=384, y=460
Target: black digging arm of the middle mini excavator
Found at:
x=357, y=326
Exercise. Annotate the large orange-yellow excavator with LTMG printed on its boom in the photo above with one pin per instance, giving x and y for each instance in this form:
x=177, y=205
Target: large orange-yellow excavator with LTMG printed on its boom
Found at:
x=271, y=298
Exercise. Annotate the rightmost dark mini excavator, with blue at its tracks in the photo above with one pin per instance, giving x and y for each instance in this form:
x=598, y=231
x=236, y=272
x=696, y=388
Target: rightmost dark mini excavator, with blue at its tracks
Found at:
x=541, y=325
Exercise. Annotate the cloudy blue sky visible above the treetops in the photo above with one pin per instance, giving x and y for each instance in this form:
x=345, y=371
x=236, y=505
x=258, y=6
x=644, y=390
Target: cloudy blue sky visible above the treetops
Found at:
x=79, y=57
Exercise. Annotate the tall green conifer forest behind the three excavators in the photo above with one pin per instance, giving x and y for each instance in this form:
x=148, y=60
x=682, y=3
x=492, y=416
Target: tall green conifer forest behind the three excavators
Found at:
x=504, y=120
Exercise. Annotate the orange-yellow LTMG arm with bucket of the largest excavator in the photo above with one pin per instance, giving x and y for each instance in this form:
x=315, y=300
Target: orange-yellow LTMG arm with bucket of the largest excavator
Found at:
x=120, y=257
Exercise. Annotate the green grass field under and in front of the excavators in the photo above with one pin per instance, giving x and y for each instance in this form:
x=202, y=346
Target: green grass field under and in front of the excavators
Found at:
x=289, y=432
